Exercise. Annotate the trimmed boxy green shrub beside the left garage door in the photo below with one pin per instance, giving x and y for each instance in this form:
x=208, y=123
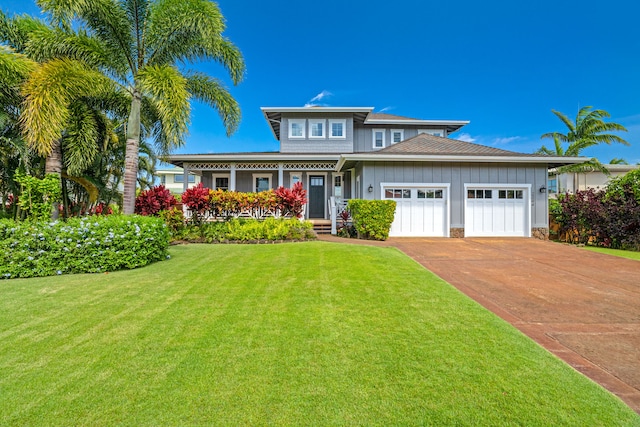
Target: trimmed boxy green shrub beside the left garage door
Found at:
x=372, y=218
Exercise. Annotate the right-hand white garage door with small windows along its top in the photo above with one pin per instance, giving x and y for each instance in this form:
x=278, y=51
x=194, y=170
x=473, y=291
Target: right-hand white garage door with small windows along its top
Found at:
x=498, y=211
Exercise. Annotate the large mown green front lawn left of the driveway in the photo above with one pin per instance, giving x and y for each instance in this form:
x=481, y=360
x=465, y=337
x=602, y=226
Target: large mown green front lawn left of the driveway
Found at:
x=292, y=334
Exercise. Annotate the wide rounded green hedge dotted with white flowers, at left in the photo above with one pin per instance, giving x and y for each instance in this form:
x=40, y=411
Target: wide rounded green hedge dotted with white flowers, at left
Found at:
x=80, y=245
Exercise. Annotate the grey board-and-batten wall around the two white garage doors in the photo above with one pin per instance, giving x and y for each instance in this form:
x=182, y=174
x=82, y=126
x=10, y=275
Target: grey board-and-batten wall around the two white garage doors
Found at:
x=458, y=174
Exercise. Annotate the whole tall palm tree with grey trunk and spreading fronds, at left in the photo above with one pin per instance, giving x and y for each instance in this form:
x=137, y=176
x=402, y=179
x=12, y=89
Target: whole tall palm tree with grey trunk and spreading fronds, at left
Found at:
x=138, y=44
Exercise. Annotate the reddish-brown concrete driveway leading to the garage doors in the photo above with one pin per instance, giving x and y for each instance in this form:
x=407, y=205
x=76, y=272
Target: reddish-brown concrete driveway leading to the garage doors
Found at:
x=582, y=306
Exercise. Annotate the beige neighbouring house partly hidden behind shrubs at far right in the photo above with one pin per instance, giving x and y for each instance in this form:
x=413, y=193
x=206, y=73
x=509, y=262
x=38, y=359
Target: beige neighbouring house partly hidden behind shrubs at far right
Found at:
x=571, y=181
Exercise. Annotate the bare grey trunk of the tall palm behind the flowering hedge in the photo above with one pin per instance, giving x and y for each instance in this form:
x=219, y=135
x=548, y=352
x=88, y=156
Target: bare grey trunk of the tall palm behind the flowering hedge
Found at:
x=131, y=155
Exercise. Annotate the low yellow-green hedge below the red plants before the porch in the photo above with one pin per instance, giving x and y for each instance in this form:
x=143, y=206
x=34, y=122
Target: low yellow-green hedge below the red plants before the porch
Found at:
x=251, y=230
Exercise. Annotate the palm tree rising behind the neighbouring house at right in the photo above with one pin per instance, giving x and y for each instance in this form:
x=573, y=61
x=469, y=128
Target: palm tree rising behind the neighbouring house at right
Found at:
x=588, y=129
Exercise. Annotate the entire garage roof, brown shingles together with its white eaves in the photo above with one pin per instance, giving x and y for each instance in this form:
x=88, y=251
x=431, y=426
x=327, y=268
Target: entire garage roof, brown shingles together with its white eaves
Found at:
x=431, y=148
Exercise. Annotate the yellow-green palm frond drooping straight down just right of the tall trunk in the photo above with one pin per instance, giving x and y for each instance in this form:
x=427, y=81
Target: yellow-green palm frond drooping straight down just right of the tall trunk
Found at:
x=166, y=87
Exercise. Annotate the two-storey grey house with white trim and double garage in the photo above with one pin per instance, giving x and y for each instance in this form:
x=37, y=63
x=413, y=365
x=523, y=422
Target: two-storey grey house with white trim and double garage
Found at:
x=442, y=186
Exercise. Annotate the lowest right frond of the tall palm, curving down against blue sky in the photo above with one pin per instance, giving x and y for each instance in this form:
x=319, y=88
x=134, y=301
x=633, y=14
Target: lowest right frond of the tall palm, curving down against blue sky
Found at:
x=213, y=92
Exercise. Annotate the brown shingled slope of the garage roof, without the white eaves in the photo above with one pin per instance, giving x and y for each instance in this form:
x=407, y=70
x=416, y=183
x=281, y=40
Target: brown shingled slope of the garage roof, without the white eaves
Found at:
x=430, y=144
